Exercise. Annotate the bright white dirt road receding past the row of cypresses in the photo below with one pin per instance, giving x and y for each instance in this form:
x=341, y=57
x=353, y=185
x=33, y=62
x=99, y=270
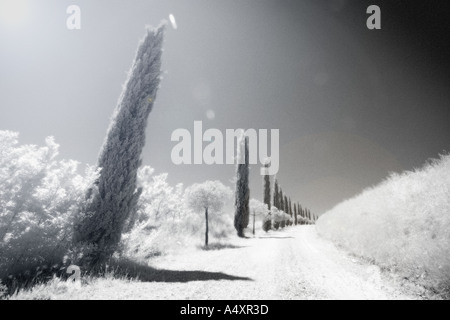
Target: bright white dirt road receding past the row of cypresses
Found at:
x=291, y=264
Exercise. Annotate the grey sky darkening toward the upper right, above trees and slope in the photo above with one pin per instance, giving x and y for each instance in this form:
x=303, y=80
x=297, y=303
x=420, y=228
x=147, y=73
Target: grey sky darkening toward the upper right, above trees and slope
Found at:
x=351, y=104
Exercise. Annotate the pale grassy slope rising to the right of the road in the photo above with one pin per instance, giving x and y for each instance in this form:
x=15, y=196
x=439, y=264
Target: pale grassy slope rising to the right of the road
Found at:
x=402, y=224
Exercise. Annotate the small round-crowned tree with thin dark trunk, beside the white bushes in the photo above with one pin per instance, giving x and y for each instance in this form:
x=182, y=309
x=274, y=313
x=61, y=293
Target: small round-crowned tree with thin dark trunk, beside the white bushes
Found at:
x=207, y=196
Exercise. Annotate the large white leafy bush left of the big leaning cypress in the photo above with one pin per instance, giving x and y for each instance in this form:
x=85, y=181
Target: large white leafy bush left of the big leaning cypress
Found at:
x=38, y=198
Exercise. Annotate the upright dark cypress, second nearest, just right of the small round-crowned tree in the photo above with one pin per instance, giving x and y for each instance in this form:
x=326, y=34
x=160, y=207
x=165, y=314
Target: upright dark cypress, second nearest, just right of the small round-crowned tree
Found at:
x=241, y=217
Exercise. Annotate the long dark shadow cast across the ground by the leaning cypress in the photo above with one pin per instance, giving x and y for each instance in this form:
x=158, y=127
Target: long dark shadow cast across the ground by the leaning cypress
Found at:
x=145, y=273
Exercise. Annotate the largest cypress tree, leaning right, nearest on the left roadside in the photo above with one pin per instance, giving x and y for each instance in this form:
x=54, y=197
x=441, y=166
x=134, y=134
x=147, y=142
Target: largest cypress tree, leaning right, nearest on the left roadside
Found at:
x=114, y=195
